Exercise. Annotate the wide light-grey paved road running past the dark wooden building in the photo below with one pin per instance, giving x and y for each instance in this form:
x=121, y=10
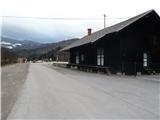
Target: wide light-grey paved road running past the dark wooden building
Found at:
x=57, y=93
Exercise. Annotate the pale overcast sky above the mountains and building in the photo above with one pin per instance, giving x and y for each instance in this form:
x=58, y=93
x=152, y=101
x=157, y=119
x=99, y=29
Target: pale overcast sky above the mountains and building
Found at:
x=51, y=30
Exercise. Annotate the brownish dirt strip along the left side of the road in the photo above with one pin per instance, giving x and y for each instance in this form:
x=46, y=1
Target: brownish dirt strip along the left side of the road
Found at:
x=12, y=79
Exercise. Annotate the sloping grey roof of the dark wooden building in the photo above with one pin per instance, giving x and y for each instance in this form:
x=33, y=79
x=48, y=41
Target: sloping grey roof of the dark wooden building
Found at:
x=101, y=33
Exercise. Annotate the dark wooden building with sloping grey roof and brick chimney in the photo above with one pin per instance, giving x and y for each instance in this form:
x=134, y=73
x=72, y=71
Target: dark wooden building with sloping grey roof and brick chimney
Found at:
x=128, y=47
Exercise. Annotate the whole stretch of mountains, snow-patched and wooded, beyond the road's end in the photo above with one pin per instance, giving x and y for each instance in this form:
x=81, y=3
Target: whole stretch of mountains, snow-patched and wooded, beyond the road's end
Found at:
x=34, y=50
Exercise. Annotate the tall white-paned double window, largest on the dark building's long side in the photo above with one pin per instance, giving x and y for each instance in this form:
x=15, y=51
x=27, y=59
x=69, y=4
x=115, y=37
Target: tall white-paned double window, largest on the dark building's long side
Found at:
x=100, y=56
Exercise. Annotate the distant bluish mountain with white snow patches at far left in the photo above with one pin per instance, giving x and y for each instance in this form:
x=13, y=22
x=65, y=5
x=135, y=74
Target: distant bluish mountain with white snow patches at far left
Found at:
x=17, y=44
